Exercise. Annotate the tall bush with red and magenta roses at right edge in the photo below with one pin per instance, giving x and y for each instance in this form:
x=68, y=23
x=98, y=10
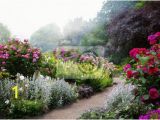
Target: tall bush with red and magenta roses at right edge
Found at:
x=145, y=70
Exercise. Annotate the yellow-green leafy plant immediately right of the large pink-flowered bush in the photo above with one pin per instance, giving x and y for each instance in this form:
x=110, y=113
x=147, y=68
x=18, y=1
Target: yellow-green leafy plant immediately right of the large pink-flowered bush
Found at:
x=48, y=65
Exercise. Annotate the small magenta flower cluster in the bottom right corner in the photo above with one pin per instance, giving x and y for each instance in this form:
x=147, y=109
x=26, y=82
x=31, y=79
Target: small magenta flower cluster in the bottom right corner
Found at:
x=154, y=114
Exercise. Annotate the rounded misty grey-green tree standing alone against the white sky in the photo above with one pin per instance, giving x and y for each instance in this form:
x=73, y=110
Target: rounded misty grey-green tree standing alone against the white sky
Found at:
x=46, y=37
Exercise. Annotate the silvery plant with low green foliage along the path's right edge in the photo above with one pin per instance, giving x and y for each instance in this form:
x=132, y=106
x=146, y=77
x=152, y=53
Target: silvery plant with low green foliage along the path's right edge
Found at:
x=119, y=105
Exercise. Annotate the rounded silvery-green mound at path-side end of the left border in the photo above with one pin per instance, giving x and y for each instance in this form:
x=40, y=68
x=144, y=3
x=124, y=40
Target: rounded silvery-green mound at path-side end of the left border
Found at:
x=62, y=93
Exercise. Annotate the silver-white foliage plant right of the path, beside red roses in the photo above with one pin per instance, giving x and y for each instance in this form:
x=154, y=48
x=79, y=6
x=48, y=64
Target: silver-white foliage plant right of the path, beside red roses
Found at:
x=121, y=94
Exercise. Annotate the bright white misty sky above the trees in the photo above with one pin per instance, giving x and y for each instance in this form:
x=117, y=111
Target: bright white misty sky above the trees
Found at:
x=23, y=17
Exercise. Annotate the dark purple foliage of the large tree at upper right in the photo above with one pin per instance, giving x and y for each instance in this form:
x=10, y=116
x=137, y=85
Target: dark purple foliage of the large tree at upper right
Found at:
x=130, y=28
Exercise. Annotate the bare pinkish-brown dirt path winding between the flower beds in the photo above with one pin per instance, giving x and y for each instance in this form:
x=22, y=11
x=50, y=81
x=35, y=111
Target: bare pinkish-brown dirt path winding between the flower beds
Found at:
x=74, y=110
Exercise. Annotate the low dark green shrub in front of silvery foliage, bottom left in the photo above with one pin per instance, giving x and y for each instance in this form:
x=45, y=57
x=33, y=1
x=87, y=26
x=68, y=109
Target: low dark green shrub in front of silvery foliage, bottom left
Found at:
x=26, y=108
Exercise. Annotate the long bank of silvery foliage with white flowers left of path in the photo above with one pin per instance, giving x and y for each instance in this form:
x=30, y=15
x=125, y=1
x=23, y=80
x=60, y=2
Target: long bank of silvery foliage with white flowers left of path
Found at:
x=37, y=88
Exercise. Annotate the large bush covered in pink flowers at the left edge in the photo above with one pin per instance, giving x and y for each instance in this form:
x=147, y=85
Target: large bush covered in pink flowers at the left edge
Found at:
x=19, y=57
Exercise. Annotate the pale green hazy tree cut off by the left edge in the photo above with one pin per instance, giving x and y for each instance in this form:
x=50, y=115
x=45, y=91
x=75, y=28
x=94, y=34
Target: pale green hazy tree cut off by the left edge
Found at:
x=4, y=33
